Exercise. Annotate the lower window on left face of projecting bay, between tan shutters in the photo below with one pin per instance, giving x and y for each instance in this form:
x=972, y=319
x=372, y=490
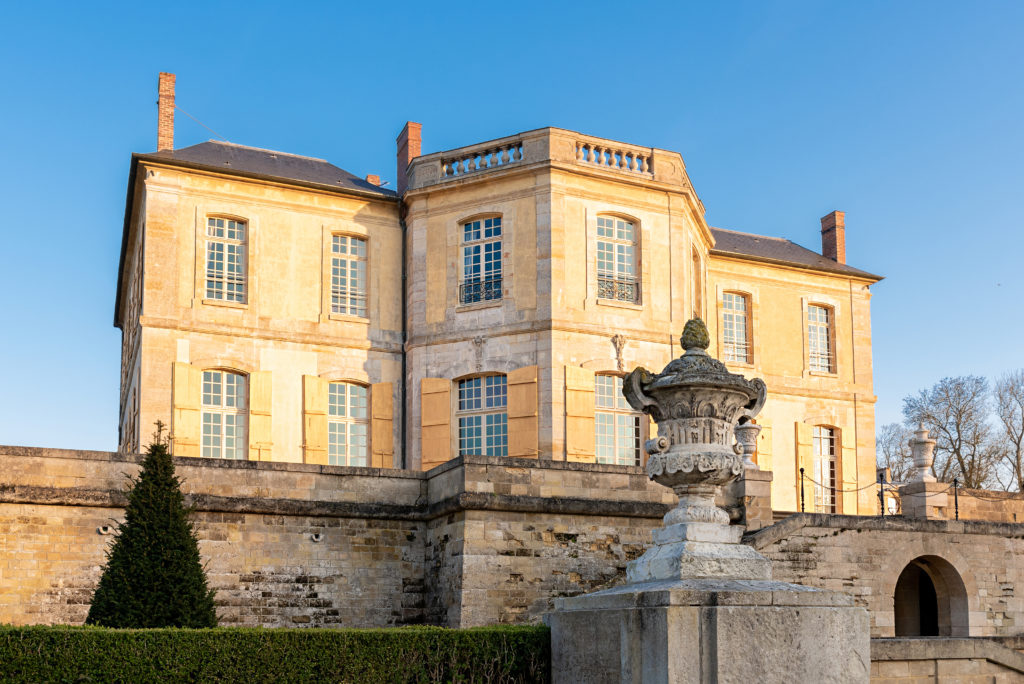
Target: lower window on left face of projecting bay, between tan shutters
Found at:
x=483, y=416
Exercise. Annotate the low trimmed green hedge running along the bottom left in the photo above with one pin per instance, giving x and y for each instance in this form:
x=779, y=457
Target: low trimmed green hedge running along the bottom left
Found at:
x=422, y=655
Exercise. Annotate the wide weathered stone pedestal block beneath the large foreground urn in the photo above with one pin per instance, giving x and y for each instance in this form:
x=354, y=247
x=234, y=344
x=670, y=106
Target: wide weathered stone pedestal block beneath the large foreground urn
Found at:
x=710, y=631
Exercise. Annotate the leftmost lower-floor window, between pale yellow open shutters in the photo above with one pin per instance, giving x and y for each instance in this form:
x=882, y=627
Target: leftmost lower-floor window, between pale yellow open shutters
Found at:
x=225, y=409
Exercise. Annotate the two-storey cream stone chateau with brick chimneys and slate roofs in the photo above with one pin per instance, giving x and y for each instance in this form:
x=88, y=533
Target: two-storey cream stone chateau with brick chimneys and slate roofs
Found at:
x=276, y=308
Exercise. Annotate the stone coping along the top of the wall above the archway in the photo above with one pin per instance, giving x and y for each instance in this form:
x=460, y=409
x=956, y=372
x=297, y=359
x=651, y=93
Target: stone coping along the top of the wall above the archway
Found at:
x=788, y=528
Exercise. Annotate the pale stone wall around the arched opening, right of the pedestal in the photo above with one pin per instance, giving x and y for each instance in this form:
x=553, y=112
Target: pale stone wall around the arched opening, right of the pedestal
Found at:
x=865, y=557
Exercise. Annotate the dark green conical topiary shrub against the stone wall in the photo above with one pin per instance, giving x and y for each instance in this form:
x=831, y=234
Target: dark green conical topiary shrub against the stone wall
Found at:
x=154, y=577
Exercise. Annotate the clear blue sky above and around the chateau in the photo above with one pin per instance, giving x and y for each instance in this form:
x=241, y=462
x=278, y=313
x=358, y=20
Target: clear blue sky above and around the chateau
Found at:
x=908, y=116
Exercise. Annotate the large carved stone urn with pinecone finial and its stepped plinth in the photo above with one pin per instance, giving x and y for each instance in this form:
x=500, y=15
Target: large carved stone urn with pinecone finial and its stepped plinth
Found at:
x=698, y=406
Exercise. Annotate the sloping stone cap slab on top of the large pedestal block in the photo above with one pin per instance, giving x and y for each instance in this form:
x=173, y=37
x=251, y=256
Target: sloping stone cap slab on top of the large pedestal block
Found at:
x=706, y=593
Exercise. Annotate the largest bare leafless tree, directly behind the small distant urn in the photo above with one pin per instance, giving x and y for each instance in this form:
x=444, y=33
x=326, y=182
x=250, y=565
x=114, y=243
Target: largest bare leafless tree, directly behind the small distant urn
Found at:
x=956, y=411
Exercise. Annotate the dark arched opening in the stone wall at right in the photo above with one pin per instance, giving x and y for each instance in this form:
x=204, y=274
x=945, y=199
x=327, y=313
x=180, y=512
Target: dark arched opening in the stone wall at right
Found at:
x=930, y=601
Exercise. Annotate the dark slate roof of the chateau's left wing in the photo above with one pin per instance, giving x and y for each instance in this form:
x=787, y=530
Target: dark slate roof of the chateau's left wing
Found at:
x=268, y=164
